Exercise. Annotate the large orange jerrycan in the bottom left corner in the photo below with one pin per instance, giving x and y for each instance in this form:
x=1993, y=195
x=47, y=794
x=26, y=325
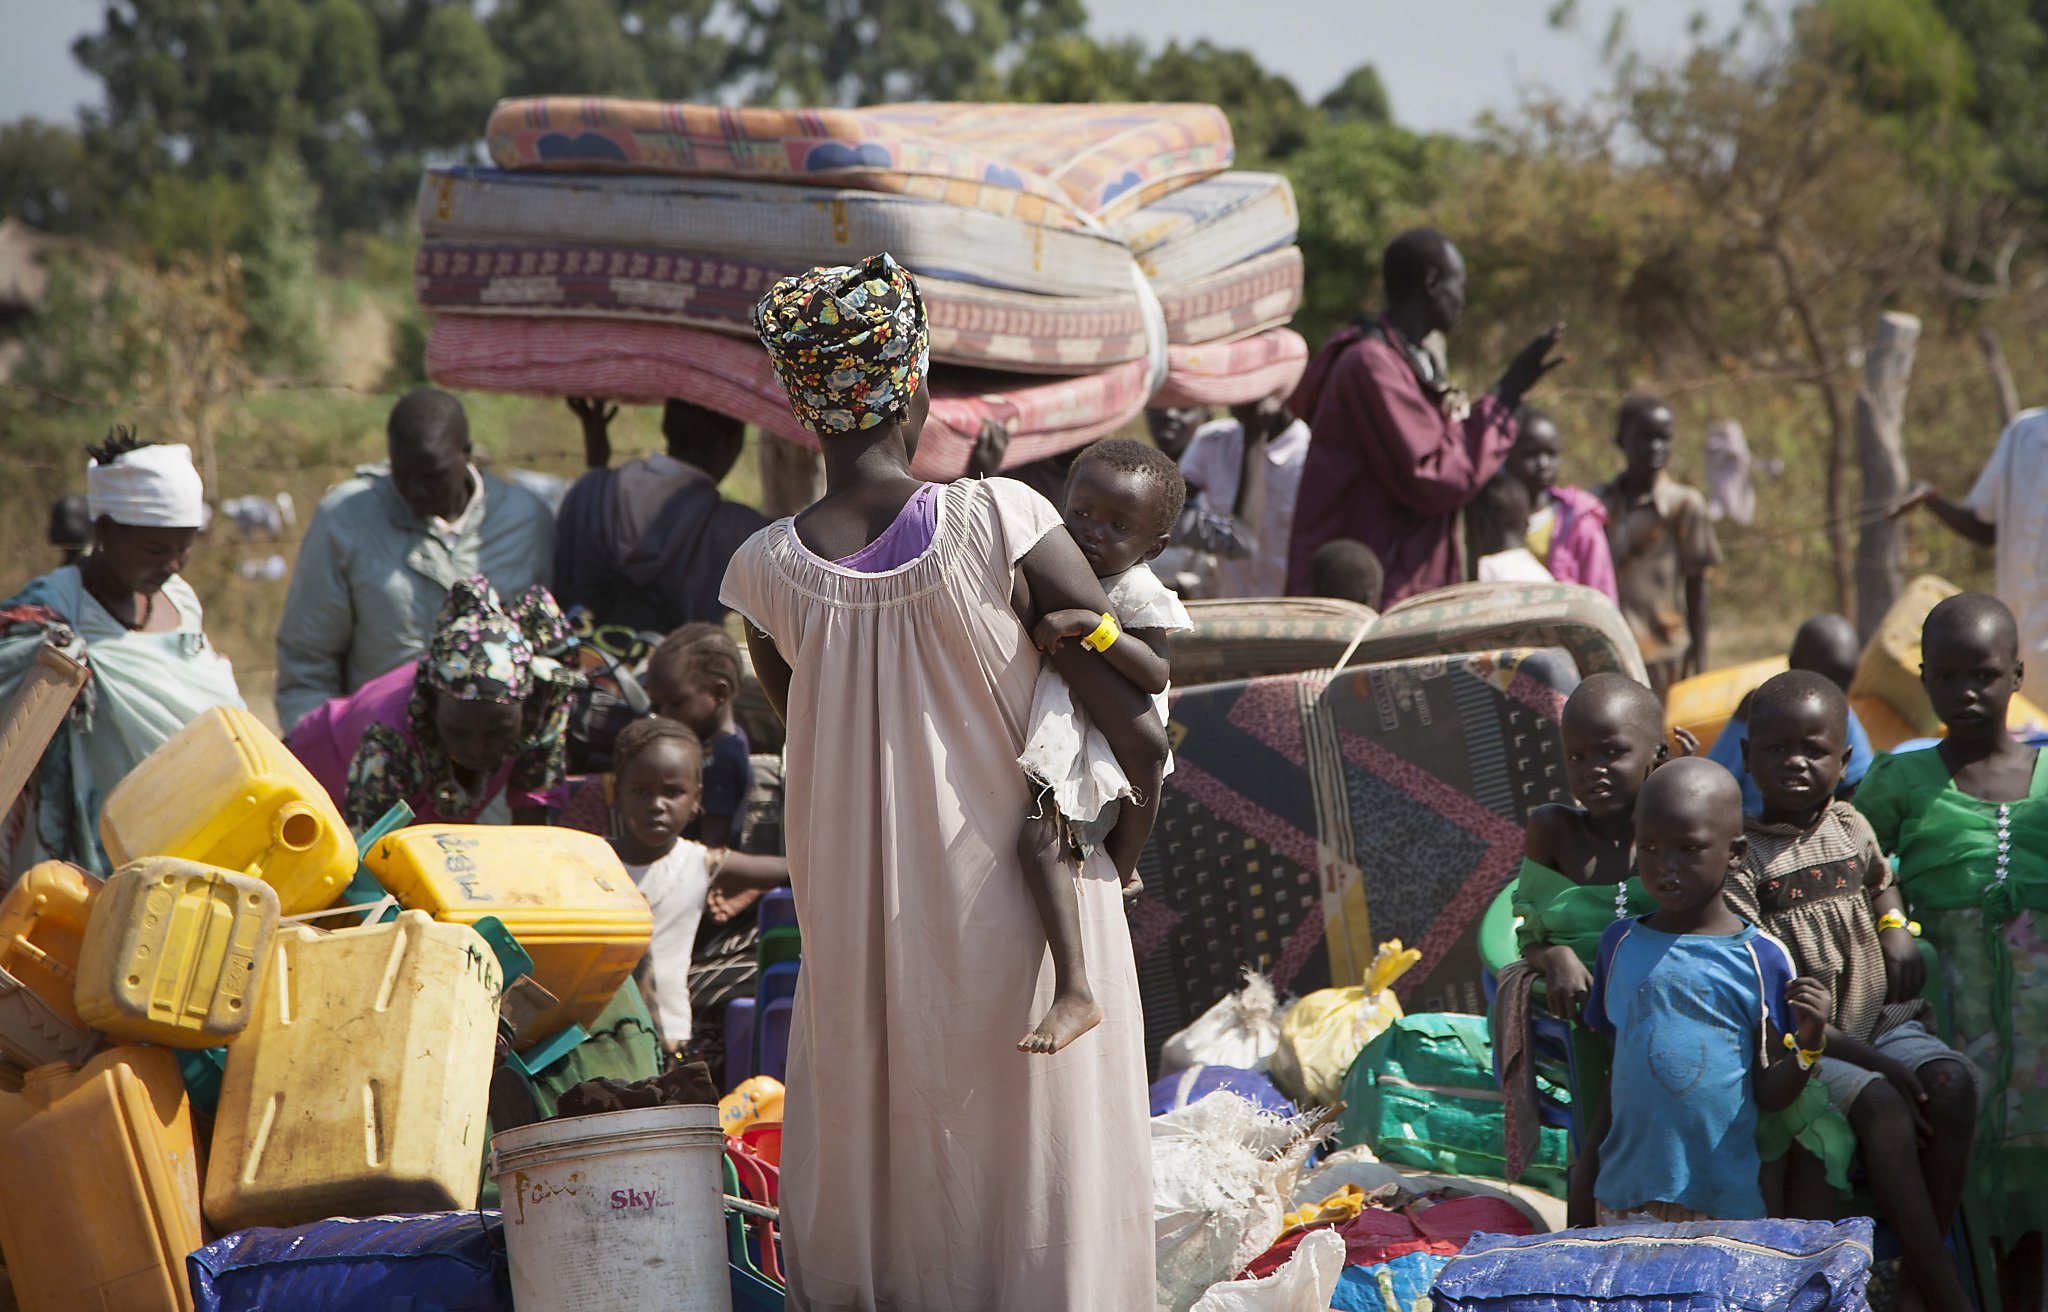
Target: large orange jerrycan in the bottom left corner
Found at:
x=99, y=1200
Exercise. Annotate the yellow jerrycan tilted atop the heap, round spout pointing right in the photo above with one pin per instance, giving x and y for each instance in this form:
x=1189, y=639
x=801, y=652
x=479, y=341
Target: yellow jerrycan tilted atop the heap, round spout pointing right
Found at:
x=226, y=793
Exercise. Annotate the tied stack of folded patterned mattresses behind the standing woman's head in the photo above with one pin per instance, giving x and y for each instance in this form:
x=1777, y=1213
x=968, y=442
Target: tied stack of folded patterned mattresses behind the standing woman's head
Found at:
x=1078, y=261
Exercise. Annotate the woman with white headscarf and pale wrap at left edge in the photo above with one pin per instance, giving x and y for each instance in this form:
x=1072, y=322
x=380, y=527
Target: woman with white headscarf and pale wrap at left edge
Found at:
x=153, y=668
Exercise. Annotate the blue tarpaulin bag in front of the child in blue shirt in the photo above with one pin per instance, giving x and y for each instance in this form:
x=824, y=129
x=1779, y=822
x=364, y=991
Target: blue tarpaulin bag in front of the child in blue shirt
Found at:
x=1762, y=1266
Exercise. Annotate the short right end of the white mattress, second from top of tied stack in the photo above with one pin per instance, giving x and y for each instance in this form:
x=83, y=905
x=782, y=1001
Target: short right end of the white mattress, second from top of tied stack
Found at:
x=1211, y=226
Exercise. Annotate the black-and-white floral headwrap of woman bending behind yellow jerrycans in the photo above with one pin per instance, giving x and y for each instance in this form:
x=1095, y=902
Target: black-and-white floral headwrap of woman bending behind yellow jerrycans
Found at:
x=484, y=652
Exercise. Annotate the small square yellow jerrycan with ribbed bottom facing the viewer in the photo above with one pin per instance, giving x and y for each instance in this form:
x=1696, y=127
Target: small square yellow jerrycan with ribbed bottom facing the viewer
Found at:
x=175, y=953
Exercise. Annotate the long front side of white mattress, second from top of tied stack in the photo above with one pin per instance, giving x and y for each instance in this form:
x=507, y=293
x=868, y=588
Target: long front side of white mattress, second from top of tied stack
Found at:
x=775, y=224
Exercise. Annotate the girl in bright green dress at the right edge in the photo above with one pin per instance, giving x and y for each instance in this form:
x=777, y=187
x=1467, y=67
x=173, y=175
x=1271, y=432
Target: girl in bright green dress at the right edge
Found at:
x=1969, y=824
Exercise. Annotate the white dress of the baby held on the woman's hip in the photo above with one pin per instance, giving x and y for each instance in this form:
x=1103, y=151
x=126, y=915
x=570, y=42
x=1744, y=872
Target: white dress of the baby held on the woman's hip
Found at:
x=1068, y=758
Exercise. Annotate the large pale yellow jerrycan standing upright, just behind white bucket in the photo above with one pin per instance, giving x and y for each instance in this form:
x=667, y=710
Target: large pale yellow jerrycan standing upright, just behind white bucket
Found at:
x=361, y=1084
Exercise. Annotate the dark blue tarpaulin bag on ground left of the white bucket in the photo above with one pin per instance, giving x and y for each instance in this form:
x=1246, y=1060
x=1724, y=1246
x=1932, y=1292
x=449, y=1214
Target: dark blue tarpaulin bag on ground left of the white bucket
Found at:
x=443, y=1262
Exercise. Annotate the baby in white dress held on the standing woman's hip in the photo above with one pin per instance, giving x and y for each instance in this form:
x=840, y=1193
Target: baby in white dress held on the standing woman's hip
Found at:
x=1121, y=507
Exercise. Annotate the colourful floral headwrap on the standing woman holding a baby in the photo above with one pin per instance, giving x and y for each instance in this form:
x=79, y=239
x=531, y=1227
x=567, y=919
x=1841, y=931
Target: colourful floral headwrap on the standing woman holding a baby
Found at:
x=851, y=345
